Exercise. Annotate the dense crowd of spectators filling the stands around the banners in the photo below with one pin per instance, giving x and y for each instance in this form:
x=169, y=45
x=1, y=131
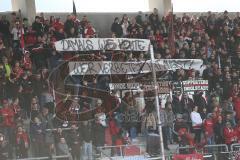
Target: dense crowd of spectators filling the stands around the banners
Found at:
x=27, y=56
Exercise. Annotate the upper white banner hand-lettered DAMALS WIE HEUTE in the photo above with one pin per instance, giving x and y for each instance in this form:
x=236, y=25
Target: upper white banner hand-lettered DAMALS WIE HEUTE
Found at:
x=87, y=44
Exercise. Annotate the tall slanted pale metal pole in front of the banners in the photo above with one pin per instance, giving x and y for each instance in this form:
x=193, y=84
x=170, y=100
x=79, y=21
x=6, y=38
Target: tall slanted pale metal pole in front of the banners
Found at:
x=157, y=103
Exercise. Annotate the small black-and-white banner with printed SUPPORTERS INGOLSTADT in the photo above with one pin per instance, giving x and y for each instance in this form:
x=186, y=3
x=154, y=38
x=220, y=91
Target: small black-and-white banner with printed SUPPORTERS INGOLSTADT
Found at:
x=195, y=85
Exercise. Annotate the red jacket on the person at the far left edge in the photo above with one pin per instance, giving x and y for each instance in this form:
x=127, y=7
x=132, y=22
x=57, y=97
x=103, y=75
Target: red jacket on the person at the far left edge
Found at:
x=8, y=117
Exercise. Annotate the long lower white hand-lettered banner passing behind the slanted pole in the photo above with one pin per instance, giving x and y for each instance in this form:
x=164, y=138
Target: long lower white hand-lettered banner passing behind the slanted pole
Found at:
x=108, y=67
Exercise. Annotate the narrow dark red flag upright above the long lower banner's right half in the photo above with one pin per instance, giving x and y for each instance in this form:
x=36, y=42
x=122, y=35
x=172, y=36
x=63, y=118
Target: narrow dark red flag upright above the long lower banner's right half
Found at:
x=171, y=36
